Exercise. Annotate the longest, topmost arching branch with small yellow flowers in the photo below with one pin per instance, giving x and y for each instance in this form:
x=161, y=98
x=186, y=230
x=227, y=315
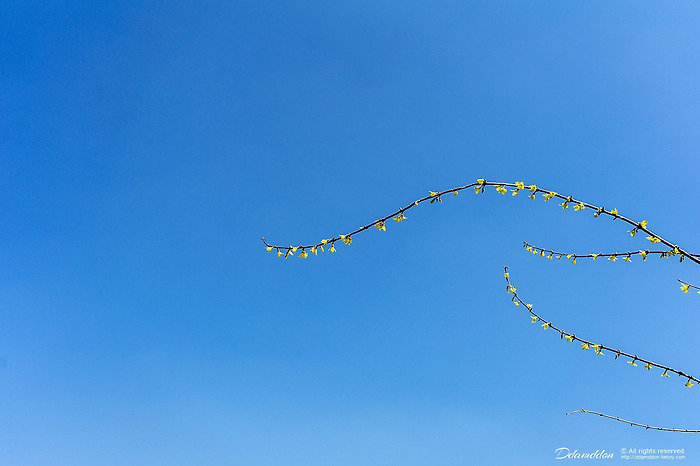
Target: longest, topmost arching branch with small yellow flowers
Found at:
x=479, y=187
